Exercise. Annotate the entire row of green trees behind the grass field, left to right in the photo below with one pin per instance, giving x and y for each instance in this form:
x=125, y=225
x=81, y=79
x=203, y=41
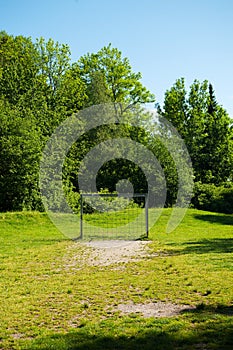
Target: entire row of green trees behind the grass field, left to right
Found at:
x=40, y=87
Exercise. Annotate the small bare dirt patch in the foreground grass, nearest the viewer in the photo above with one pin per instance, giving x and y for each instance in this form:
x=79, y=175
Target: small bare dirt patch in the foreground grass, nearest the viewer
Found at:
x=158, y=309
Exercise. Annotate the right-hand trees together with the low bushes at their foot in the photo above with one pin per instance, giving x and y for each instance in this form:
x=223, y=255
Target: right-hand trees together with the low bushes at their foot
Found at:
x=207, y=131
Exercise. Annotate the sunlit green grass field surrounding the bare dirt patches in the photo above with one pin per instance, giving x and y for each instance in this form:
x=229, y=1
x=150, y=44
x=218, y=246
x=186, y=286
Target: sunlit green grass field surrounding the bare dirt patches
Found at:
x=49, y=303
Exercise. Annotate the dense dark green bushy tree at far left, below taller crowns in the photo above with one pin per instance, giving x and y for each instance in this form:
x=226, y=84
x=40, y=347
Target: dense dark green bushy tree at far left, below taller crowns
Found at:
x=20, y=148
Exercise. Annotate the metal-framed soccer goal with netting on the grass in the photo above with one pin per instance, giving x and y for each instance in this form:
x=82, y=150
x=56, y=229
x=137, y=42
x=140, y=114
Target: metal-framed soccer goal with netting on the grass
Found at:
x=113, y=216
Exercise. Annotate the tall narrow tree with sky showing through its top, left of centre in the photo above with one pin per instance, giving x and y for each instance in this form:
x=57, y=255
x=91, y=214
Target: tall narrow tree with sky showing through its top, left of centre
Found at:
x=65, y=91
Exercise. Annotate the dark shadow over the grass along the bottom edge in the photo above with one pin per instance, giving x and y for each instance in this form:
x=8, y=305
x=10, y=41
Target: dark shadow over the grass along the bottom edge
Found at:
x=205, y=332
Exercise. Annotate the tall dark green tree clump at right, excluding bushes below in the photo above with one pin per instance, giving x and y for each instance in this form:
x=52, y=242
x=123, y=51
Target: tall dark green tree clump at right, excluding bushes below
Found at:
x=205, y=128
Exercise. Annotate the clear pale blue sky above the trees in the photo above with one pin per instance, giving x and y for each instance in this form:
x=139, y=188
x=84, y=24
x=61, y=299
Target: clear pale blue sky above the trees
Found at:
x=163, y=39
